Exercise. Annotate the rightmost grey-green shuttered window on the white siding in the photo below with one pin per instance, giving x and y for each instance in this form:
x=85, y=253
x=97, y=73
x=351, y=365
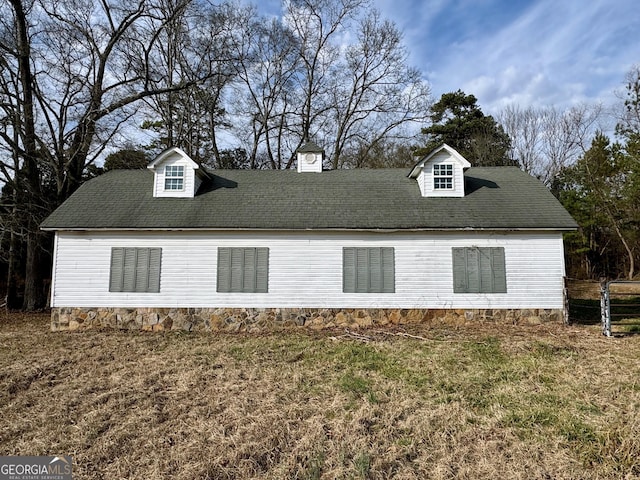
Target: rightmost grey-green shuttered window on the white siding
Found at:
x=479, y=270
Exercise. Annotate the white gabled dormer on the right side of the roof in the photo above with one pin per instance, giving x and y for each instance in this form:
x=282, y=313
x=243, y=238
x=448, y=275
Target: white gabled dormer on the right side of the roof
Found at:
x=441, y=173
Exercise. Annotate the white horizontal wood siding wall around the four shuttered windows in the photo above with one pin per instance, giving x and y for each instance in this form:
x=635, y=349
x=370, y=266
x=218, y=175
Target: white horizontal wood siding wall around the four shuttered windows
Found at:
x=305, y=270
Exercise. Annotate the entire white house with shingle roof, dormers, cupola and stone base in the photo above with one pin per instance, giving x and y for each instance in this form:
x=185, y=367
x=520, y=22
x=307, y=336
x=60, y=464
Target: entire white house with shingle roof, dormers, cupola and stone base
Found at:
x=177, y=247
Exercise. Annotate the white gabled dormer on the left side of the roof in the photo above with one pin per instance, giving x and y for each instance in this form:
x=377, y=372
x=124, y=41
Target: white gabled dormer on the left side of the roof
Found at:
x=175, y=174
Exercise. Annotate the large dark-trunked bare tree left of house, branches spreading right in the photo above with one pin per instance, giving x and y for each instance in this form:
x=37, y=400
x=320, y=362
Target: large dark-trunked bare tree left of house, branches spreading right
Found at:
x=80, y=76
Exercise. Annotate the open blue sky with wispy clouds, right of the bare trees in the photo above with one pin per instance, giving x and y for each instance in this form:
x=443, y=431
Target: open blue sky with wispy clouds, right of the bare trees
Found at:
x=539, y=53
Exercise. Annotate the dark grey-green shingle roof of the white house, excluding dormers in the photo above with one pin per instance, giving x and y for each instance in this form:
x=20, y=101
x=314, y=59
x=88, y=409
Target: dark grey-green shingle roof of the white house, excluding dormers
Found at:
x=496, y=198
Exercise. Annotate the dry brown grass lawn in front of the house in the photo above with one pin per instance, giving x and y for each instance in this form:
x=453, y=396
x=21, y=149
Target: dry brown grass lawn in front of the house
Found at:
x=536, y=402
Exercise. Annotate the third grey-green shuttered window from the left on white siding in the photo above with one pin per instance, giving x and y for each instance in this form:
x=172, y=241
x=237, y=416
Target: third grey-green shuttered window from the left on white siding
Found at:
x=368, y=270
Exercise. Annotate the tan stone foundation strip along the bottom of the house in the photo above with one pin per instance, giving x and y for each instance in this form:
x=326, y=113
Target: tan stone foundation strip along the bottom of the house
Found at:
x=266, y=319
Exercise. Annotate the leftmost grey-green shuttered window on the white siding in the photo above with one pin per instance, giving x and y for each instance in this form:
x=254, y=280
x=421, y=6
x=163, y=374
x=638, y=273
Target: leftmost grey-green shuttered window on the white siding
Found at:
x=135, y=270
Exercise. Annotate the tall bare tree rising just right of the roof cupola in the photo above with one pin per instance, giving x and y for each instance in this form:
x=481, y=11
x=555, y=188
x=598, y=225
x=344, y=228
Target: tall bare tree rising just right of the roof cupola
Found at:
x=375, y=92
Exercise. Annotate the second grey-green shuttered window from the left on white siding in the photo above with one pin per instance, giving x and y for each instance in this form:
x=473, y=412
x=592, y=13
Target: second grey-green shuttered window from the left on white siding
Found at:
x=243, y=270
